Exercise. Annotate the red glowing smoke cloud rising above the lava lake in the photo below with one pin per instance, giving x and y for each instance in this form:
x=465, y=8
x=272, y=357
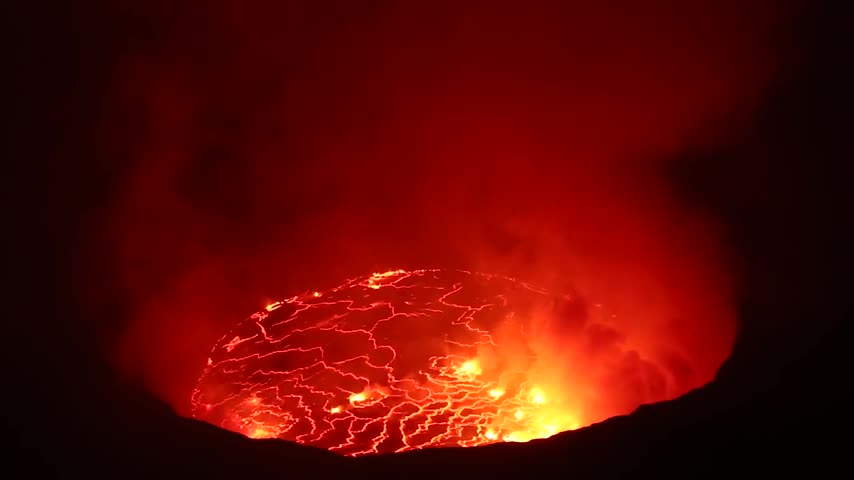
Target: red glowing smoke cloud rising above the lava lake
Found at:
x=274, y=149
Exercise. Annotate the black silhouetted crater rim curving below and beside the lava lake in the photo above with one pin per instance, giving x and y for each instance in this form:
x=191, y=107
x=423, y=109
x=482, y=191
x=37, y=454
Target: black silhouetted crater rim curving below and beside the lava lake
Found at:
x=776, y=404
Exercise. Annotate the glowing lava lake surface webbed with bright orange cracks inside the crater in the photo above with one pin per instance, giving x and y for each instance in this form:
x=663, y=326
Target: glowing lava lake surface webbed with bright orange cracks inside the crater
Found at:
x=387, y=363
